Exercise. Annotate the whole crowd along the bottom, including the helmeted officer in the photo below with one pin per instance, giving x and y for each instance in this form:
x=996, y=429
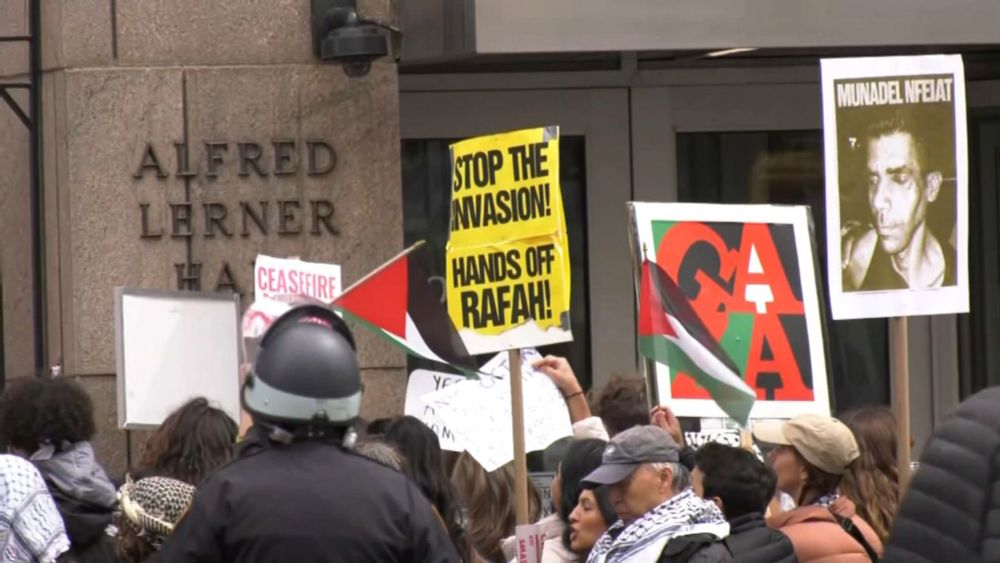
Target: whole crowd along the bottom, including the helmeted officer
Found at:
x=309, y=482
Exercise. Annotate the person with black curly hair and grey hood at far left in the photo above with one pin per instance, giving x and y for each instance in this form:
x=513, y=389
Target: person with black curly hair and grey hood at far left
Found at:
x=50, y=422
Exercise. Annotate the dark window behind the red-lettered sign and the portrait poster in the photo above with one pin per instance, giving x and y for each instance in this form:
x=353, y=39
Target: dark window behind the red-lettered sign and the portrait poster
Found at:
x=786, y=167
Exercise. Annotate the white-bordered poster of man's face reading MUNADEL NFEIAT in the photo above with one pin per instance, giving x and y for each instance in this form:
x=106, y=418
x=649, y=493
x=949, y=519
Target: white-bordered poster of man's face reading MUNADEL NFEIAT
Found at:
x=897, y=185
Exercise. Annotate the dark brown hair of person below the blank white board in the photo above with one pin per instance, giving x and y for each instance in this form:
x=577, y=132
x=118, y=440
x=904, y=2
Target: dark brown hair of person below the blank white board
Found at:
x=195, y=440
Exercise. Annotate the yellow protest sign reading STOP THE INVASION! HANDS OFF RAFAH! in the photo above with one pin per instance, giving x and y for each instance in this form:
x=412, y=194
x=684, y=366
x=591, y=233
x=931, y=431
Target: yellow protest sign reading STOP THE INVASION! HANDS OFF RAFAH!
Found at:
x=508, y=272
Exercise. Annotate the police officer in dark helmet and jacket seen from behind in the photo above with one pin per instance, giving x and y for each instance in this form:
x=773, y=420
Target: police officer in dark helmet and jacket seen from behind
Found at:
x=294, y=493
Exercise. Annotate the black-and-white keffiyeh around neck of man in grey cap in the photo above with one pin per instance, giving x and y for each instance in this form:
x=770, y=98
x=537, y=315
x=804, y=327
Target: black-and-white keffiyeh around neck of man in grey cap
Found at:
x=643, y=540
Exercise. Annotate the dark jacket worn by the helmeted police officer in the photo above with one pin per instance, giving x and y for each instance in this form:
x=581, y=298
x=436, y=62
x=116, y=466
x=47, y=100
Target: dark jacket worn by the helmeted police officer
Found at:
x=308, y=501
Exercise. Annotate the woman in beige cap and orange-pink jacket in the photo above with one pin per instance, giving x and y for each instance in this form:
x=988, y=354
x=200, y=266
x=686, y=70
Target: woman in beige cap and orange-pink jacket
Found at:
x=812, y=455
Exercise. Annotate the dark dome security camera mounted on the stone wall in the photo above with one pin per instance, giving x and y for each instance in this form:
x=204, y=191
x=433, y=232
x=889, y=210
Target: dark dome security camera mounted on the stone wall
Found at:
x=340, y=36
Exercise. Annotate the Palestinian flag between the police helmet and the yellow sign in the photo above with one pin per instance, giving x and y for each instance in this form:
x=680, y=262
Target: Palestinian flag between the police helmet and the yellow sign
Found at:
x=397, y=302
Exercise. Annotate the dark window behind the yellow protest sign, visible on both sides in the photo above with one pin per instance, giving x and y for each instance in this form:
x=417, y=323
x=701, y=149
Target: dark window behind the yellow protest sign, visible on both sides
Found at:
x=426, y=199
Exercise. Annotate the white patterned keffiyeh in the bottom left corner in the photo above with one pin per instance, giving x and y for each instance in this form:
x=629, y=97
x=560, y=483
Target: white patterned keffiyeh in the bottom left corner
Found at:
x=31, y=528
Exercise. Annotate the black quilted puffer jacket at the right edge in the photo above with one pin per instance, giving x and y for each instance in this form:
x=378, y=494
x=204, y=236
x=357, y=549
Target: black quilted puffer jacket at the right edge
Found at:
x=951, y=511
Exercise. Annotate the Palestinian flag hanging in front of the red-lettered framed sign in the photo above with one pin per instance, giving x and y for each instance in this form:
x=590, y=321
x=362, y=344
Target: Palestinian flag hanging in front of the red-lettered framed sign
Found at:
x=672, y=333
